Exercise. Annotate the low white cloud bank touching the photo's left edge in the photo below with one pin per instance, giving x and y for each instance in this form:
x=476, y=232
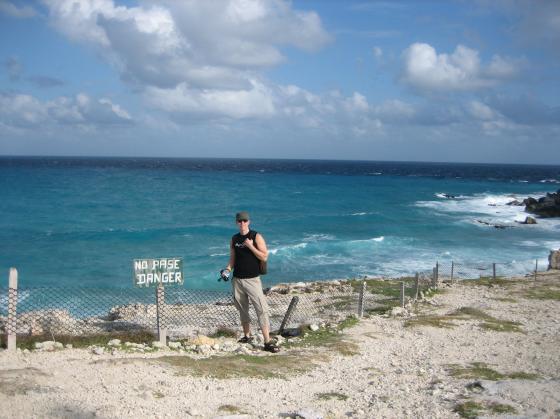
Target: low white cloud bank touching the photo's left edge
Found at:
x=25, y=111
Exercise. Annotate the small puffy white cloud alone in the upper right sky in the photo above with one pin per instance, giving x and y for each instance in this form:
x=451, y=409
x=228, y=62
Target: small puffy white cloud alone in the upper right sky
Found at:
x=427, y=71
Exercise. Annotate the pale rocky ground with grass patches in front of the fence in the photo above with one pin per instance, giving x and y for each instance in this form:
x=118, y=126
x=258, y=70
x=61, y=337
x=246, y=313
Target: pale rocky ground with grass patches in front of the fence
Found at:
x=477, y=348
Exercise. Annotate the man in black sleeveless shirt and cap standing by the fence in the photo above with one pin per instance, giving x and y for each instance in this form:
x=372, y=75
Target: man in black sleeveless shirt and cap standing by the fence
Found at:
x=247, y=250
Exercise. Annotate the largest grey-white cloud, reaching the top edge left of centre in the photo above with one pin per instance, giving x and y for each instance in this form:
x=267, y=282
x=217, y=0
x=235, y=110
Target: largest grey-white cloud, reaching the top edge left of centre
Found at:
x=194, y=56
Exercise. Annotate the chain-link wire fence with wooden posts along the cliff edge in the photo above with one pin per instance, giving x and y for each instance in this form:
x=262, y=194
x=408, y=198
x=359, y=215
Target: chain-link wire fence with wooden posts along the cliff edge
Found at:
x=51, y=313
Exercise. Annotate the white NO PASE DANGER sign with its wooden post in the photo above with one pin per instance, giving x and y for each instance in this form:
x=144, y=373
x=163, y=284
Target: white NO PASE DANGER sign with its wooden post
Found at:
x=159, y=273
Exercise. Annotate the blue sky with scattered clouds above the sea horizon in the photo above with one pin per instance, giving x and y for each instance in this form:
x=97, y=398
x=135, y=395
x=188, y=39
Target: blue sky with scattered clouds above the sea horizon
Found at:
x=454, y=80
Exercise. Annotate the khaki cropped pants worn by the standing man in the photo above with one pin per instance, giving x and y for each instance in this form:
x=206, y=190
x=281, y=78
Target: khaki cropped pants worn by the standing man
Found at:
x=250, y=289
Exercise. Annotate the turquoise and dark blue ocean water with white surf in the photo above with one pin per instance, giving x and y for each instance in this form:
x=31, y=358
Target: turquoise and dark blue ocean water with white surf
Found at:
x=81, y=221
